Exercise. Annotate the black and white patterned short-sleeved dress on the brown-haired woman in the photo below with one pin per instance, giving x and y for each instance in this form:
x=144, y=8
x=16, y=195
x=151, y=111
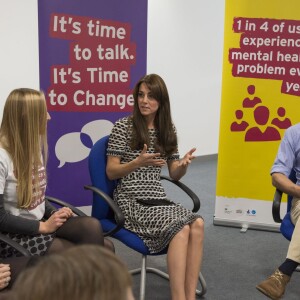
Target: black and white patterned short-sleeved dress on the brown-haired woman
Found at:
x=155, y=224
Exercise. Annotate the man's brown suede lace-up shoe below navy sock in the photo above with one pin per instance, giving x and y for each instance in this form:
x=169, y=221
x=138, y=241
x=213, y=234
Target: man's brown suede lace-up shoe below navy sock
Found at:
x=274, y=286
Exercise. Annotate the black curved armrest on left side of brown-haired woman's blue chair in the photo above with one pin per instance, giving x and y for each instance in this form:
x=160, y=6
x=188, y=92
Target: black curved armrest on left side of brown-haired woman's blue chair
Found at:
x=119, y=217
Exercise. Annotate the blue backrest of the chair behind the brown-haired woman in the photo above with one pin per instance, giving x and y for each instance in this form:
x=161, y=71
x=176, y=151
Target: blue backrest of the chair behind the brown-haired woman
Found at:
x=97, y=168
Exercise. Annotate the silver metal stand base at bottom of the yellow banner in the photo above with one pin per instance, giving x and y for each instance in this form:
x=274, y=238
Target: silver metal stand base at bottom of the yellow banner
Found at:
x=245, y=225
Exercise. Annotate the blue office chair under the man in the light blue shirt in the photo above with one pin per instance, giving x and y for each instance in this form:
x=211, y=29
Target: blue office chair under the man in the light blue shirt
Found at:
x=286, y=225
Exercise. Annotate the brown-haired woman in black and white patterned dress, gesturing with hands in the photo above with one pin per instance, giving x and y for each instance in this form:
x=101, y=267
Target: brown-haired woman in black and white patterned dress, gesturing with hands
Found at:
x=139, y=146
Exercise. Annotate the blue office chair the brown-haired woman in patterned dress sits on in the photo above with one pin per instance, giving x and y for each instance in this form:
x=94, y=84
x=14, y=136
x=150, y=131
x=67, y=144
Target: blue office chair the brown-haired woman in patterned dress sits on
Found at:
x=112, y=220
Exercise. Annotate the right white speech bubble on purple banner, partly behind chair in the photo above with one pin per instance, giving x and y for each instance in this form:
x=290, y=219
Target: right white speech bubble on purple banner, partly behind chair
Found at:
x=97, y=129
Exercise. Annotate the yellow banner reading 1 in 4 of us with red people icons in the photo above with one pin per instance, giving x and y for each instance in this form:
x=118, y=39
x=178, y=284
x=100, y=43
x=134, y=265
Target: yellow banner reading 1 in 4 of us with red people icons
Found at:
x=260, y=99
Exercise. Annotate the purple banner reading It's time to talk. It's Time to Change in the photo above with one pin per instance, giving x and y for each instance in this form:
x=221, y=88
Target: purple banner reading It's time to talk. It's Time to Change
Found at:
x=91, y=53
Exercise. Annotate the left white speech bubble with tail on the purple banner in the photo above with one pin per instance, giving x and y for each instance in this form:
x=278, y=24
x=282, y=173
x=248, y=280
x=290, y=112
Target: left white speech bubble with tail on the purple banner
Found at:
x=69, y=148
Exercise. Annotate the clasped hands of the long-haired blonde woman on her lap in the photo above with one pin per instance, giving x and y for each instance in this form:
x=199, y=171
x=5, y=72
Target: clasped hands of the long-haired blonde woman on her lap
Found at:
x=56, y=220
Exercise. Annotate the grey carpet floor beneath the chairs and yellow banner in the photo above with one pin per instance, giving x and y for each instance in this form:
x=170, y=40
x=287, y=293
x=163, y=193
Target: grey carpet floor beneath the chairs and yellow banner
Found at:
x=234, y=262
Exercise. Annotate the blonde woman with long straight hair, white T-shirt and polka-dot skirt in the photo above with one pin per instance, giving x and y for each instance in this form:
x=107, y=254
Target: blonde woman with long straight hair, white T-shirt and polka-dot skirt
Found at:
x=25, y=216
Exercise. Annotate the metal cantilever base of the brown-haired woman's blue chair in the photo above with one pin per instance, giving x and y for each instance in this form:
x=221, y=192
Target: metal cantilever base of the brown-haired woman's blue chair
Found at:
x=144, y=269
